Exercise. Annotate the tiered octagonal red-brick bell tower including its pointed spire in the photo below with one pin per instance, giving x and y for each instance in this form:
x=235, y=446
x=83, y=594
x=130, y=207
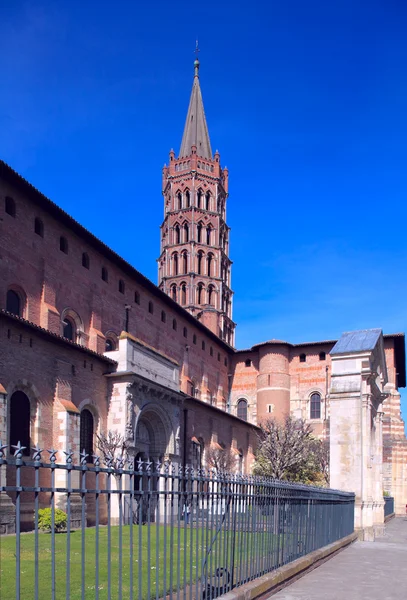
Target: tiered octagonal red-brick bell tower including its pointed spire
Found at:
x=194, y=267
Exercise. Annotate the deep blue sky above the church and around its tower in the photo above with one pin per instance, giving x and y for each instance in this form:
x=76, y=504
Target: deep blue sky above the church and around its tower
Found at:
x=306, y=102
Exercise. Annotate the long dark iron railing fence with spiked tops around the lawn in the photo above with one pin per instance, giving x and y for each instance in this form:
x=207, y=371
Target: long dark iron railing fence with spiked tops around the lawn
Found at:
x=152, y=530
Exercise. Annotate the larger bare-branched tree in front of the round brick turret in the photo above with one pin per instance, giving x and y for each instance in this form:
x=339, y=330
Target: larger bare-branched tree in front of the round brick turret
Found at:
x=283, y=448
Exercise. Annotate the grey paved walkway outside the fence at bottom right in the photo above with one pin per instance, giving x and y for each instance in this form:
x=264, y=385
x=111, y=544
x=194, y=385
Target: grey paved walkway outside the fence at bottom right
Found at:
x=364, y=571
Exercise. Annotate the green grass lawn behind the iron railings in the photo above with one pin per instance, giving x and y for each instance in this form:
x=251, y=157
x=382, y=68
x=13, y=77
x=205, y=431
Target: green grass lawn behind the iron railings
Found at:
x=183, y=549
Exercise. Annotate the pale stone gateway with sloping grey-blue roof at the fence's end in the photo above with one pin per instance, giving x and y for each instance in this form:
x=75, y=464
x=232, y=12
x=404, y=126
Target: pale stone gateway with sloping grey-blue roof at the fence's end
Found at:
x=358, y=378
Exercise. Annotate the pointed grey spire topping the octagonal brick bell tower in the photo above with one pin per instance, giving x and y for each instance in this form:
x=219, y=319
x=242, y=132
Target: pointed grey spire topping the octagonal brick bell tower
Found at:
x=196, y=130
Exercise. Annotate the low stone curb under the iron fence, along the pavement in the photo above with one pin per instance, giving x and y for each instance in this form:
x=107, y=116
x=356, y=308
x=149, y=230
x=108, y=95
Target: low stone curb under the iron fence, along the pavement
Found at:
x=274, y=581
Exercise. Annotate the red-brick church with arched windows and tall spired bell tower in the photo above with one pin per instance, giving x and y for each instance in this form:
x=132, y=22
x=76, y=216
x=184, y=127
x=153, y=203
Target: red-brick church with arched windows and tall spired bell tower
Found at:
x=89, y=344
